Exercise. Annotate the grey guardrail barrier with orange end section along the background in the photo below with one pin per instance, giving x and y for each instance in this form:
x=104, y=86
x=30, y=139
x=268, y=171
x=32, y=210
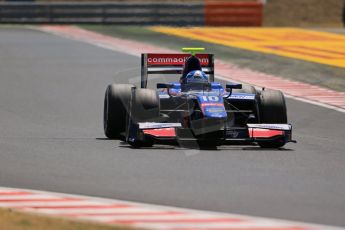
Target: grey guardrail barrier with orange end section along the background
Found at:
x=195, y=13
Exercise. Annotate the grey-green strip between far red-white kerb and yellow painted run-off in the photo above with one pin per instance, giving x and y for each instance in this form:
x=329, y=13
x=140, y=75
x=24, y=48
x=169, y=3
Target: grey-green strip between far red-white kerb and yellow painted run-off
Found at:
x=304, y=71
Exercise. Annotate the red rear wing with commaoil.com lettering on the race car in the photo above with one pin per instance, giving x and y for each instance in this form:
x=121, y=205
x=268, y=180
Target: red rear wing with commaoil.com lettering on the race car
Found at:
x=153, y=63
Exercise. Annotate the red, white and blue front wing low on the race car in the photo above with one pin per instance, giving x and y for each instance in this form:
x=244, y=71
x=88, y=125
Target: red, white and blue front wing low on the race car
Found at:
x=167, y=133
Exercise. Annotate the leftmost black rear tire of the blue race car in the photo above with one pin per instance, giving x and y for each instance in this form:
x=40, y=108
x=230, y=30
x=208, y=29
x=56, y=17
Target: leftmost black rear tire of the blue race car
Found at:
x=116, y=101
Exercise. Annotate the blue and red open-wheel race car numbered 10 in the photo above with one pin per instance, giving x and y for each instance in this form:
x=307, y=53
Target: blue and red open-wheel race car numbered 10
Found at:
x=195, y=111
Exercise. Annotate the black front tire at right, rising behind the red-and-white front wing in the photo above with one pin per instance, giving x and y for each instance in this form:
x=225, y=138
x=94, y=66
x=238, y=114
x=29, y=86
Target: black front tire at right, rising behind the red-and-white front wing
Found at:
x=272, y=109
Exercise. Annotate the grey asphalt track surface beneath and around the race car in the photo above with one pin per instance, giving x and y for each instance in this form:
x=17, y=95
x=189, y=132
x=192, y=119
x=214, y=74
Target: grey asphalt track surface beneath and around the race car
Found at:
x=51, y=138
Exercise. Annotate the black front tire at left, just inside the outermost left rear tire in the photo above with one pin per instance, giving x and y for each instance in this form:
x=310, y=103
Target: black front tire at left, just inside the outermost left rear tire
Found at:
x=145, y=108
